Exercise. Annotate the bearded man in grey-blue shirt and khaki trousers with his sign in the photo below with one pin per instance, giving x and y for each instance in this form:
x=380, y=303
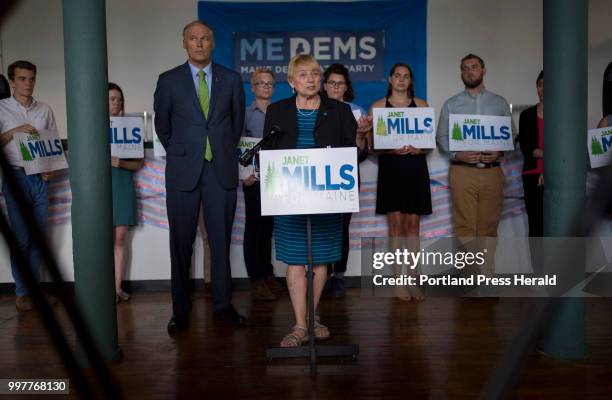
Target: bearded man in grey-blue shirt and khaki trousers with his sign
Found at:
x=475, y=176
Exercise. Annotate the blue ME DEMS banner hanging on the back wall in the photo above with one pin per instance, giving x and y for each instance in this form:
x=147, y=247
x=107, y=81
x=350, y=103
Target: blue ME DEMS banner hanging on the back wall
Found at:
x=366, y=36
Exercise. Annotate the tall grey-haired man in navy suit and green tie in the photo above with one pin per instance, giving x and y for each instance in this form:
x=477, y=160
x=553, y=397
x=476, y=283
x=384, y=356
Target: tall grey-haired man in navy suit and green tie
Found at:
x=199, y=114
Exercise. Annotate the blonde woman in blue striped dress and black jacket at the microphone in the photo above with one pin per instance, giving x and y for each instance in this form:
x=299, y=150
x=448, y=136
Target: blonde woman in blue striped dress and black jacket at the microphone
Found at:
x=308, y=120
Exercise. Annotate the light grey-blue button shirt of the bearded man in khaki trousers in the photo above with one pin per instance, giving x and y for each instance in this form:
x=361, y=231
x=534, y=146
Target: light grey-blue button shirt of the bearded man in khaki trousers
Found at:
x=484, y=103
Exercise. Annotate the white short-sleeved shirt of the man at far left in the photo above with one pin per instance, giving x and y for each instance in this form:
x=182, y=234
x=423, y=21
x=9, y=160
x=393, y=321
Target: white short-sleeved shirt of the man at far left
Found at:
x=13, y=114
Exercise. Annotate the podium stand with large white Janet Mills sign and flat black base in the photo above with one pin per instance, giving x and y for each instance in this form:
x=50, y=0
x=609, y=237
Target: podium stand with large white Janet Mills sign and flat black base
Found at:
x=309, y=182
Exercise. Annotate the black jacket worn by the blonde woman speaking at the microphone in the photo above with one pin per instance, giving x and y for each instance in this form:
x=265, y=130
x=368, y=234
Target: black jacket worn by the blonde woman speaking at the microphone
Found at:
x=335, y=125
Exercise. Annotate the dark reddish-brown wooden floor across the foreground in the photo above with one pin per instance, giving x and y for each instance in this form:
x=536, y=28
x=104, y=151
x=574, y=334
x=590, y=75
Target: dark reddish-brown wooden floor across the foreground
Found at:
x=439, y=349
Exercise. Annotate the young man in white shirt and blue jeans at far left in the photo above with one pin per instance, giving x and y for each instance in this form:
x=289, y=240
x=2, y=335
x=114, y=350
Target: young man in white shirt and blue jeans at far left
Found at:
x=21, y=113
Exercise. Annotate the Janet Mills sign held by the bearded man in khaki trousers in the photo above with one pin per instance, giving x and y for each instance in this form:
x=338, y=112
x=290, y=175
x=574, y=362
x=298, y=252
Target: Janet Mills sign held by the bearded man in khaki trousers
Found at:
x=479, y=133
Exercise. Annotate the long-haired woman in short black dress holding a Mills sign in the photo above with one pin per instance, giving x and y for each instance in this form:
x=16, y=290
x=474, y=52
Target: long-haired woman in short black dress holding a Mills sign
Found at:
x=403, y=191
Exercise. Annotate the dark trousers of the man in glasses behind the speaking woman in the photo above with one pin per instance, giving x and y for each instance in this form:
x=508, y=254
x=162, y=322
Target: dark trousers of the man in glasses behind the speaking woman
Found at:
x=257, y=247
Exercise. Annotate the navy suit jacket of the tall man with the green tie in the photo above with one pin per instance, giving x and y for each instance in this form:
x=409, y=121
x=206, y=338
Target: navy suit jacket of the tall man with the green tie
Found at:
x=182, y=128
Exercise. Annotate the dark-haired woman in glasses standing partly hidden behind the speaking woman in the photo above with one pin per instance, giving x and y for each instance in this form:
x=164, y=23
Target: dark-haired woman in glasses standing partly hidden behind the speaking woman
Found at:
x=337, y=85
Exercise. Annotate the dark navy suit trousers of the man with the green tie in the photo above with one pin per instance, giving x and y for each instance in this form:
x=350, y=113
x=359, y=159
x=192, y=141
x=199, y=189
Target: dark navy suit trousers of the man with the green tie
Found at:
x=219, y=206
